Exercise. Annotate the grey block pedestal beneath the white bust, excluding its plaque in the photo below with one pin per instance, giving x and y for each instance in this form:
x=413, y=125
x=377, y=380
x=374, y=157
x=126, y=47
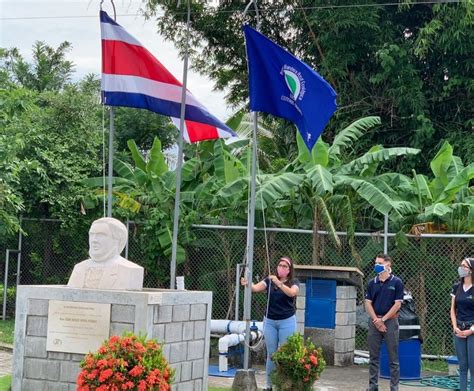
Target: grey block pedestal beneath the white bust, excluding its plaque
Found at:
x=178, y=319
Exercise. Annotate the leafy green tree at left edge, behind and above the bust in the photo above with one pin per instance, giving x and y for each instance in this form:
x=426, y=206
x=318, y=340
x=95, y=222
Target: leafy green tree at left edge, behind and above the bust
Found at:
x=45, y=121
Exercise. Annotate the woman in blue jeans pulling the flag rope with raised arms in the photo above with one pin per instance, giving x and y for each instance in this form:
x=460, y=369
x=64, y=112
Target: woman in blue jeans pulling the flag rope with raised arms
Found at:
x=280, y=319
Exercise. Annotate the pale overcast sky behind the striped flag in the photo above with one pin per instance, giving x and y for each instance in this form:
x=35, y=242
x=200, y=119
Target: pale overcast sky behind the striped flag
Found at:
x=25, y=21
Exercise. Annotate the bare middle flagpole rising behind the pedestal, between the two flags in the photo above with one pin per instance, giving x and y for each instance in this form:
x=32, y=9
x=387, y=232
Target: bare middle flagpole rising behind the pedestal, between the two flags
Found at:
x=174, y=248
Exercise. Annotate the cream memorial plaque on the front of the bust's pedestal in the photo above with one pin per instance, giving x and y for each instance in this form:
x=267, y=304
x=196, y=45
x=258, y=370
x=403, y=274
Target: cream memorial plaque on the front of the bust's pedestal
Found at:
x=77, y=327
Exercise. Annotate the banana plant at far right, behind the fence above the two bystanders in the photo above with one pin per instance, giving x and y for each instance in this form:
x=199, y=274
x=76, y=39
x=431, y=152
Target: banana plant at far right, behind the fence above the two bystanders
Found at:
x=444, y=202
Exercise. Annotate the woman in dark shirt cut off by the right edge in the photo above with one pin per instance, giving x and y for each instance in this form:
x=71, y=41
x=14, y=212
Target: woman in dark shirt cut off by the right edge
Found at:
x=462, y=320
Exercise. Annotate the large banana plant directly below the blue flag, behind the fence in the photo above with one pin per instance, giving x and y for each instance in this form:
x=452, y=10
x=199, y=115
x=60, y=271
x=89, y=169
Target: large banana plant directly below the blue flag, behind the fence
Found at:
x=340, y=190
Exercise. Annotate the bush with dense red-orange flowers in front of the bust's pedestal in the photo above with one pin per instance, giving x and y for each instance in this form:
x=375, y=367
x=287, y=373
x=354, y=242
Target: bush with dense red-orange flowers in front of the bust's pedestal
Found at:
x=126, y=363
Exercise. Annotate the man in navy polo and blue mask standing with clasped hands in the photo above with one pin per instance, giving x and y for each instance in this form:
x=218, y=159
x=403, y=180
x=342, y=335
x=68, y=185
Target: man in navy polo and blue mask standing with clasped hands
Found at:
x=383, y=300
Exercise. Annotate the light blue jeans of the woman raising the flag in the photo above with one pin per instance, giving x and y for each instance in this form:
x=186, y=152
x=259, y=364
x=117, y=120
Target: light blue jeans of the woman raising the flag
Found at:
x=276, y=332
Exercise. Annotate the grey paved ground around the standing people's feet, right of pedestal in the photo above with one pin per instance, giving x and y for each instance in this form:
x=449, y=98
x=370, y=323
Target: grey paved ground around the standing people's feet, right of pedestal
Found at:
x=353, y=378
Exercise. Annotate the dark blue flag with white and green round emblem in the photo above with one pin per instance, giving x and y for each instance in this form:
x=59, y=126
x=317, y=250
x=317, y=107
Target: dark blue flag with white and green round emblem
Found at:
x=286, y=87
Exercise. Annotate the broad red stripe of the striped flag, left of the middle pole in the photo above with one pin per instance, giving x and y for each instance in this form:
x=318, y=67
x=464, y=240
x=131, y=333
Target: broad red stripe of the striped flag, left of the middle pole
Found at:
x=120, y=58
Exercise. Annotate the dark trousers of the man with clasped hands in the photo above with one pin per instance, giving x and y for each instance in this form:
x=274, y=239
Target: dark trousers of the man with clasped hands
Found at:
x=374, y=339
